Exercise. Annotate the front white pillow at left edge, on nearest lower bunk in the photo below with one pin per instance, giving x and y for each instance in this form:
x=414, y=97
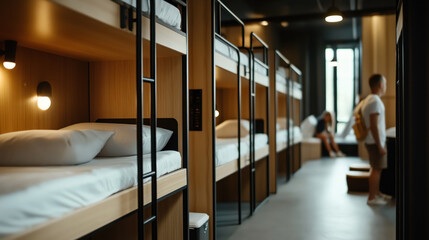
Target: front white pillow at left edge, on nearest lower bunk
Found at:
x=51, y=147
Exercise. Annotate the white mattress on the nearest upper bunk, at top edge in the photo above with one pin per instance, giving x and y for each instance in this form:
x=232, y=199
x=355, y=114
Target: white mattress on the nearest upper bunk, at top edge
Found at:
x=165, y=12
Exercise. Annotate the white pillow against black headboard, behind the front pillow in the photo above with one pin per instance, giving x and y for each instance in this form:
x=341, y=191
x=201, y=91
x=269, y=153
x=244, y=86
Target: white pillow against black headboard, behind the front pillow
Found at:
x=124, y=140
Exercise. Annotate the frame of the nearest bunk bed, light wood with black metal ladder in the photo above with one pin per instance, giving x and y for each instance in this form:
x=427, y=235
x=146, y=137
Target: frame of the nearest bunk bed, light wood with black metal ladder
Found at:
x=78, y=29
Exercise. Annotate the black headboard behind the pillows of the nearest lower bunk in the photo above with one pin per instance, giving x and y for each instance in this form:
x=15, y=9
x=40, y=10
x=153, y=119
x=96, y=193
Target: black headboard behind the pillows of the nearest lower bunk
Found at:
x=167, y=123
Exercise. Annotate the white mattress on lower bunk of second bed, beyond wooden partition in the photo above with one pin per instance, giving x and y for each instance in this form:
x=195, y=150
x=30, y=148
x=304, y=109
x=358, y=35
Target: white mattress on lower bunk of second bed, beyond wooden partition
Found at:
x=227, y=148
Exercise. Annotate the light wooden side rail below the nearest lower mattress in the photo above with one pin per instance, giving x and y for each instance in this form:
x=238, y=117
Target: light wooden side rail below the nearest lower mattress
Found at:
x=87, y=219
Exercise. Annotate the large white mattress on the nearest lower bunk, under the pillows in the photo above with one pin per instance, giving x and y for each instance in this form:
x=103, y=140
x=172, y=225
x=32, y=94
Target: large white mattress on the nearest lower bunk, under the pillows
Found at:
x=33, y=195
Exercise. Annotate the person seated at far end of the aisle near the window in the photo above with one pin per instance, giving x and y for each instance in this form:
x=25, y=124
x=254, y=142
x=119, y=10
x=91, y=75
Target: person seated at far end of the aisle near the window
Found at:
x=324, y=132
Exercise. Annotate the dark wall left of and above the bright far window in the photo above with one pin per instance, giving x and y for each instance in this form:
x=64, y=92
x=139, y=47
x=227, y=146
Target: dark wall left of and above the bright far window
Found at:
x=303, y=43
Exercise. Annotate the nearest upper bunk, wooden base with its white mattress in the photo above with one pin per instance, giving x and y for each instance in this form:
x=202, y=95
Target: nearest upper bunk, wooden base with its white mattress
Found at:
x=89, y=29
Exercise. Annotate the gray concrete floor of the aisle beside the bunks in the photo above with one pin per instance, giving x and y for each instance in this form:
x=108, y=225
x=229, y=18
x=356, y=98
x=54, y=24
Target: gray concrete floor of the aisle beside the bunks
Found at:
x=315, y=205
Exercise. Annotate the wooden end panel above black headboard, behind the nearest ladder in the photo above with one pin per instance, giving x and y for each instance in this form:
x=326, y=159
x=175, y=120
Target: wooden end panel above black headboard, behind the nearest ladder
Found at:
x=113, y=90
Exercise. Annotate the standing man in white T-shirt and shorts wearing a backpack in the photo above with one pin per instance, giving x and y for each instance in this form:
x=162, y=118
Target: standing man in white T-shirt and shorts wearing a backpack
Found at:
x=374, y=116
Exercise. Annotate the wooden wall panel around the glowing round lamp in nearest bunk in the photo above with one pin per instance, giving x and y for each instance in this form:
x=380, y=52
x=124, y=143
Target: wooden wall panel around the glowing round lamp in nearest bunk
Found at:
x=18, y=90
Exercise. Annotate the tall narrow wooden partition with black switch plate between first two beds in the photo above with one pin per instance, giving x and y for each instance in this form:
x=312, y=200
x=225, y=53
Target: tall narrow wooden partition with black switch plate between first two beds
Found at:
x=201, y=179
